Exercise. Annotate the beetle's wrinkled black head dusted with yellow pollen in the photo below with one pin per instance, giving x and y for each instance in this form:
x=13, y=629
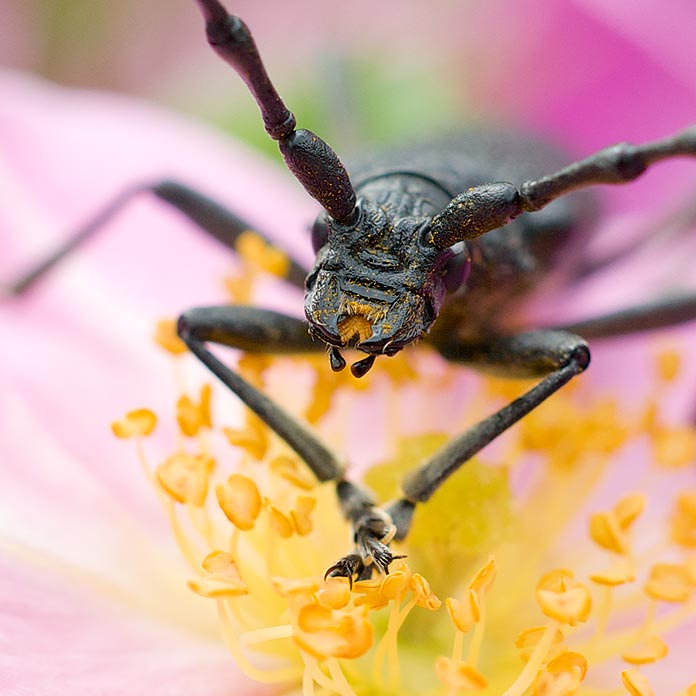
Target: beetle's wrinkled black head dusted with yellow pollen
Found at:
x=377, y=283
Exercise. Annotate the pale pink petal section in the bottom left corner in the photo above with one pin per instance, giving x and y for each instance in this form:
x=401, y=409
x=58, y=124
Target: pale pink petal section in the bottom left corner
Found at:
x=60, y=637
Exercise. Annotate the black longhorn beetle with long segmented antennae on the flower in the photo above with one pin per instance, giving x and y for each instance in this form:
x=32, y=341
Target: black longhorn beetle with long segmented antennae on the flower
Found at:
x=427, y=241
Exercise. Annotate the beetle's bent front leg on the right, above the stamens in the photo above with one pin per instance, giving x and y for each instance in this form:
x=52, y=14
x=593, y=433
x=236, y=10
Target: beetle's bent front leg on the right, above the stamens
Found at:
x=557, y=354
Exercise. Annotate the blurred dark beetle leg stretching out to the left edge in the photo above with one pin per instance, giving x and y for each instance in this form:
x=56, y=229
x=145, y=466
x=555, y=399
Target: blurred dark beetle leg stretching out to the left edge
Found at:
x=210, y=216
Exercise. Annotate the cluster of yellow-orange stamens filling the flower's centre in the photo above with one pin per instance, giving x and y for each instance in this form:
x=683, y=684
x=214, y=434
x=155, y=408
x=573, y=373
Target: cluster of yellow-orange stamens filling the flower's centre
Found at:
x=496, y=595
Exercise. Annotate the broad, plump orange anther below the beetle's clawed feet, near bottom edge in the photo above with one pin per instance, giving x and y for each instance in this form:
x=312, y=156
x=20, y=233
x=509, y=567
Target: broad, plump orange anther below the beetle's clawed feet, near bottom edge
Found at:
x=325, y=632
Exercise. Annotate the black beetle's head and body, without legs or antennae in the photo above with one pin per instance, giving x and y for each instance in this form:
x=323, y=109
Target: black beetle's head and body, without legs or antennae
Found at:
x=382, y=268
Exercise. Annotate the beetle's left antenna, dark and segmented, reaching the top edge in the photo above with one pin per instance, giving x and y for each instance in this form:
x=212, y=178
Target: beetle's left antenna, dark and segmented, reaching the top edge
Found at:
x=313, y=163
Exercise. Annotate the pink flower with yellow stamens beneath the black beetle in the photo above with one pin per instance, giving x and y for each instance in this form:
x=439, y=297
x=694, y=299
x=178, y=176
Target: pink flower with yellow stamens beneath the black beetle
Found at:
x=95, y=596
